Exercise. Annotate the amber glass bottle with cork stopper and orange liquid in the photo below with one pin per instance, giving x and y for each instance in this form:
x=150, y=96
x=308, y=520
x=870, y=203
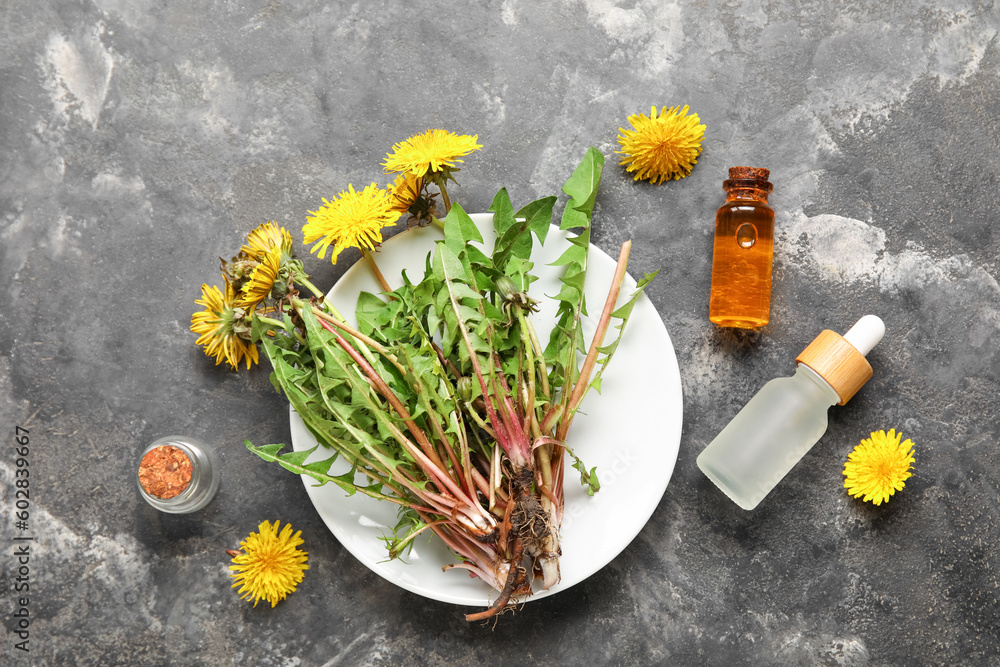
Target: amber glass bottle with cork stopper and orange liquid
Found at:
x=743, y=251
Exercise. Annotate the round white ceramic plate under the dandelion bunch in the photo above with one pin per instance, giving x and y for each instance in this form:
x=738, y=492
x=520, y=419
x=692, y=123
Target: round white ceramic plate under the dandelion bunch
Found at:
x=631, y=432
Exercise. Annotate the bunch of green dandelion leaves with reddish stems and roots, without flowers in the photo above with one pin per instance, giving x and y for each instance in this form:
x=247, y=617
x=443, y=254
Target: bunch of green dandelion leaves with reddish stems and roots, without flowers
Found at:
x=441, y=397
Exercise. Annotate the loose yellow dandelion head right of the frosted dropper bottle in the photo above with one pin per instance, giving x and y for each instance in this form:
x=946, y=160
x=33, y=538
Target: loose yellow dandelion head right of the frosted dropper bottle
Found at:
x=878, y=467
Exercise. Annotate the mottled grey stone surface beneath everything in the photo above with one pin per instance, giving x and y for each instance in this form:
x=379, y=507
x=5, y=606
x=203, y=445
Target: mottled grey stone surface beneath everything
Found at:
x=140, y=140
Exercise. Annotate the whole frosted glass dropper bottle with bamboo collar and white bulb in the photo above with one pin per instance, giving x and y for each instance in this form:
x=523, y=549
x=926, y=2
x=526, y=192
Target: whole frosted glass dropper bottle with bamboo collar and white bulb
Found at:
x=788, y=415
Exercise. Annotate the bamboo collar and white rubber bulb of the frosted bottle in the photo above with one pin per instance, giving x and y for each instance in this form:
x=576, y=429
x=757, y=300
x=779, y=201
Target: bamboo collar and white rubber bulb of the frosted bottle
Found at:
x=840, y=360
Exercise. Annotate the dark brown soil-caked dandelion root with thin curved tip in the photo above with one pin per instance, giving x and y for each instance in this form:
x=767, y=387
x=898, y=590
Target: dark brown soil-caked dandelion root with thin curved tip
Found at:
x=526, y=530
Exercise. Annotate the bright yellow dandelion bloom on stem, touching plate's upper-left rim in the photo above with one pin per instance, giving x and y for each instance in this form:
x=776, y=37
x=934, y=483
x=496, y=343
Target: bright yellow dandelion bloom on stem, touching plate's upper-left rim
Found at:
x=351, y=220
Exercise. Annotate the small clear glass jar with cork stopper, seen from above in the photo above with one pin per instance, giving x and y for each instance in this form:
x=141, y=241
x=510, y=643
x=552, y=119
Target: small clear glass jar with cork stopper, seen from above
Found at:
x=178, y=474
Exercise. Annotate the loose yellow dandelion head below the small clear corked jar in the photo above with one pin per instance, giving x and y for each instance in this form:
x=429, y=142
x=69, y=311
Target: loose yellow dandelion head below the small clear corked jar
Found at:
x=271, y=565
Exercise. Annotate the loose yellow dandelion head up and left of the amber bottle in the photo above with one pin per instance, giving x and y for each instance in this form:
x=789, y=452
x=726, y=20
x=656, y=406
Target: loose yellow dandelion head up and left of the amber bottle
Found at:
x=661, y=147
